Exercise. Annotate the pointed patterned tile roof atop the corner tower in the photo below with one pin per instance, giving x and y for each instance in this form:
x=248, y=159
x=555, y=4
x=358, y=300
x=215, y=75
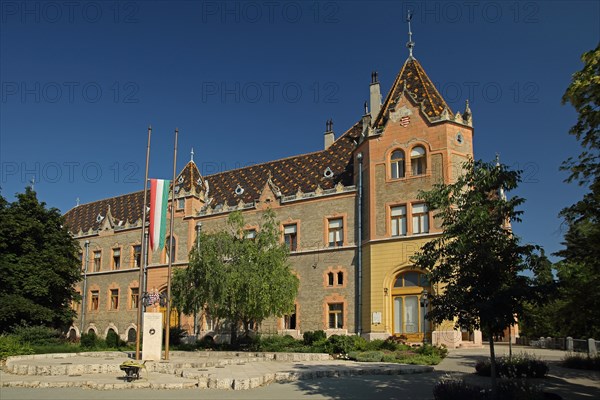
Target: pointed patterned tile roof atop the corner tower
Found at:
x=412, y=76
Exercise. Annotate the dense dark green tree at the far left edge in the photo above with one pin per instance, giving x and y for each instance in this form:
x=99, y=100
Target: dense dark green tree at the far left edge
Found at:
x=38, y=265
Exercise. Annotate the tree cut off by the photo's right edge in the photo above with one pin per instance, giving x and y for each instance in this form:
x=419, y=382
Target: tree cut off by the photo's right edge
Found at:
x=579, y=273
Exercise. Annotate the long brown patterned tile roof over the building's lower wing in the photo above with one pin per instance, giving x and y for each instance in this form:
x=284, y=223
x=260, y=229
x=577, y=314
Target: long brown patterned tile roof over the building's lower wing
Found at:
x=304, y=172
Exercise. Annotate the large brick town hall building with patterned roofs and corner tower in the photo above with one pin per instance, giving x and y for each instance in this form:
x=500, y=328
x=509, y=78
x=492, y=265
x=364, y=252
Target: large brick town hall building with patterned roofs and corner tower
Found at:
x=349, y=213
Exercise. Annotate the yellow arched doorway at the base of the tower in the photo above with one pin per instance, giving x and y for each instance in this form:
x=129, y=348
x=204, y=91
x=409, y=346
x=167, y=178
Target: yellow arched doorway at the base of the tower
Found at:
x=408, y=314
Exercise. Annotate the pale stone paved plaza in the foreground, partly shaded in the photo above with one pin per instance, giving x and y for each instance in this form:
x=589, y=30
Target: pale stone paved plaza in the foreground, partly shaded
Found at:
x=224, y=375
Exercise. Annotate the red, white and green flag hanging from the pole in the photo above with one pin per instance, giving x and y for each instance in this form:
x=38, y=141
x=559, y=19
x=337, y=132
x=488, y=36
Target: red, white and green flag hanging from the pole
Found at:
x=159, y=198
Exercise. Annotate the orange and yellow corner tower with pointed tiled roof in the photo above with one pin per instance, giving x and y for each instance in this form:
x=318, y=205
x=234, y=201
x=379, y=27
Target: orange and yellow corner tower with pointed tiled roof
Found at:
x=408, y=144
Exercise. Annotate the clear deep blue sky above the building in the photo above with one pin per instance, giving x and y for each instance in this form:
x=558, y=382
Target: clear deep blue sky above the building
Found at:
x=248, y=82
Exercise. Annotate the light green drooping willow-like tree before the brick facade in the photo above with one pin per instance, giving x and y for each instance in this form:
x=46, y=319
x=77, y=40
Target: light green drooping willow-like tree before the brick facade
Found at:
x=236, y=278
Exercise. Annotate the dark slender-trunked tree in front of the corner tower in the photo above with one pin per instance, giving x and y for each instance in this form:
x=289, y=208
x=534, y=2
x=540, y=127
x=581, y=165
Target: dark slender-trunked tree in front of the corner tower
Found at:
x=477, y=264
